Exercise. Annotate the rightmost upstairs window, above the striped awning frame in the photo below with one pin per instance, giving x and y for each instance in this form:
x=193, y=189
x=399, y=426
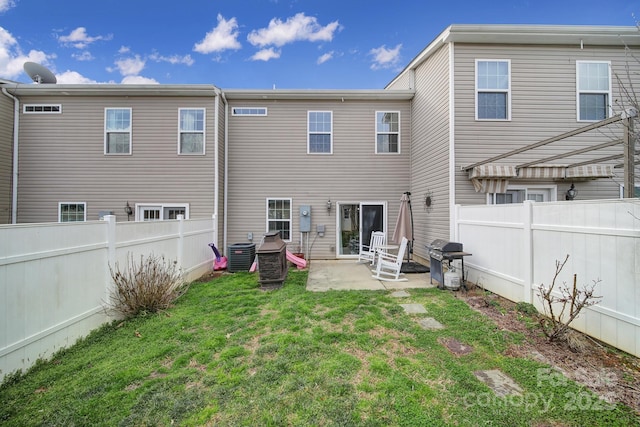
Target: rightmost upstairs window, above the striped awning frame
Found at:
x=594, y=90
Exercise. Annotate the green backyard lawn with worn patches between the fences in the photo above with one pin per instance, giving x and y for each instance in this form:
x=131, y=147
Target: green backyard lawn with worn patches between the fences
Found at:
x=231, y=354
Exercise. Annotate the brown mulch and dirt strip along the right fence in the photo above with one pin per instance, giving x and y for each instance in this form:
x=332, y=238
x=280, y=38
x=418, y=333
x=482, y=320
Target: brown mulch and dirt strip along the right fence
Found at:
x=608, y=372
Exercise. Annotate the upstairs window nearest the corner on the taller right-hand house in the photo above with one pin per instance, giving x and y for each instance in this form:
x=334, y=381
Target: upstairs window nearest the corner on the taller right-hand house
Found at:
x=493, y=90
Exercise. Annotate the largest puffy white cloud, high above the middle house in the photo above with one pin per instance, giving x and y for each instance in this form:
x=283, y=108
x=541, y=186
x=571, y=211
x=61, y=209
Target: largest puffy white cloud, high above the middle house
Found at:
x=297, y=28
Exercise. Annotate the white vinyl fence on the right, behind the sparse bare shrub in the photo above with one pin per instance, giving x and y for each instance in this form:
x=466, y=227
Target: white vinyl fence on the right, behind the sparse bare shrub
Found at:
x=515, y=249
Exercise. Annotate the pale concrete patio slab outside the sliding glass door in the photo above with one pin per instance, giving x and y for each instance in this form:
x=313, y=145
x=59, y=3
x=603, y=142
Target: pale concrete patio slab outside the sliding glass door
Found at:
x=325, y=275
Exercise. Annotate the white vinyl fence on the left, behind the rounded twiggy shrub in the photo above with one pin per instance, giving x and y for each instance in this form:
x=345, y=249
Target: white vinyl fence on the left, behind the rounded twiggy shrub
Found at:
x=55, y=278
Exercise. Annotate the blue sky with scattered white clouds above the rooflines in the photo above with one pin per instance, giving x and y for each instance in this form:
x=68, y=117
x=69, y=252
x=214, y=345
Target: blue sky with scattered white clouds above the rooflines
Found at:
x=256, y=44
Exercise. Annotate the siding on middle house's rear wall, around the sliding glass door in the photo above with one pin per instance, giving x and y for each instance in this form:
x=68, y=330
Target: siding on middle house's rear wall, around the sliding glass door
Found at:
x=268, y=159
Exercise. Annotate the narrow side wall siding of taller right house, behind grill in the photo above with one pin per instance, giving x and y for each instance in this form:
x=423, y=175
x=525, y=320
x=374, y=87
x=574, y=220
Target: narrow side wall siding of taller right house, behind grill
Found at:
x=430, y=151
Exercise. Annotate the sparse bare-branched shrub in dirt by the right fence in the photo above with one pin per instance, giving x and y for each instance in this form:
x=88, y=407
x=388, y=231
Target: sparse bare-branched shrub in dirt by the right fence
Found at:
x=570, y=302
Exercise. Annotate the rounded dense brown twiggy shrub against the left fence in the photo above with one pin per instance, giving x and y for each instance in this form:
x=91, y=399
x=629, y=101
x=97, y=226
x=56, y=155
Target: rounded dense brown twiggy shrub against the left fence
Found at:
x=146, y=286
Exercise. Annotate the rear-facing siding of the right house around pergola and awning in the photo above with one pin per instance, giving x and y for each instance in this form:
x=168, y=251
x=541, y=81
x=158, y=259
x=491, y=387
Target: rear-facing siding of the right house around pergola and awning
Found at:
x=543, y=105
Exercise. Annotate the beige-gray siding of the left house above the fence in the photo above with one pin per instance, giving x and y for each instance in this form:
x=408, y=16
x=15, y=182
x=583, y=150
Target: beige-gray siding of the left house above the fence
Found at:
x=62, y=158
